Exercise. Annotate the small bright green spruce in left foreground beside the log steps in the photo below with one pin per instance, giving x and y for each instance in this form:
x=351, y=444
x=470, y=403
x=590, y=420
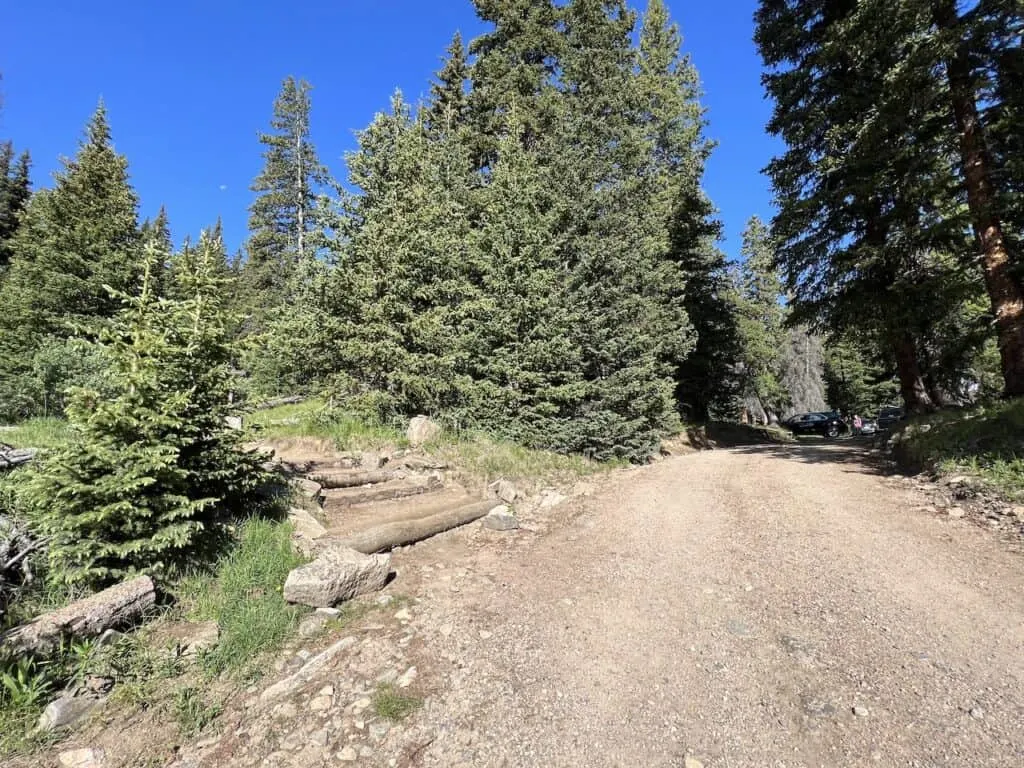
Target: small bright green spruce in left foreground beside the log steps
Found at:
x=152, y=473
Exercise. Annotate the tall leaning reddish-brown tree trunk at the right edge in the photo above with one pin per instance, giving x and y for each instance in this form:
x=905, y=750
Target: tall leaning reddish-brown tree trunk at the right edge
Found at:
x=1005, y=291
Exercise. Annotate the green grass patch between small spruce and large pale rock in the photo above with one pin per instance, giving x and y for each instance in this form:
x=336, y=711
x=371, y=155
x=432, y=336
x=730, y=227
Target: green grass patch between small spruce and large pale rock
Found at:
x=244, y=596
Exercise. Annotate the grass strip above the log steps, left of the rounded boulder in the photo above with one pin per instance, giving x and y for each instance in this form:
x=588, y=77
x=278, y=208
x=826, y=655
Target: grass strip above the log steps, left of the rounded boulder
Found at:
x=316, y=419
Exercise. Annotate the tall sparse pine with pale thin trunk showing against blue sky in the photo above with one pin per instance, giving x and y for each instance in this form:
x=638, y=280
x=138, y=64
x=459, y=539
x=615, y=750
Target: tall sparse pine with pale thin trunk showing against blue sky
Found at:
x=286, y=221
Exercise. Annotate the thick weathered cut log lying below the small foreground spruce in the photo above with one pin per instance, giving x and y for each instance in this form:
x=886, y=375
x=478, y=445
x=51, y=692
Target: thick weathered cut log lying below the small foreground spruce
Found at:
x=113, y=608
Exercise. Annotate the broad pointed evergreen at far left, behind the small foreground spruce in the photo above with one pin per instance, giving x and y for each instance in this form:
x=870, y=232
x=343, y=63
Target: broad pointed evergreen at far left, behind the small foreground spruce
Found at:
x=74, y=241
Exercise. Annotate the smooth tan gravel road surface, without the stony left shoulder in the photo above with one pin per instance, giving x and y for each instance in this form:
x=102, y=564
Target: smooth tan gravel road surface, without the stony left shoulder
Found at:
x=771, y=608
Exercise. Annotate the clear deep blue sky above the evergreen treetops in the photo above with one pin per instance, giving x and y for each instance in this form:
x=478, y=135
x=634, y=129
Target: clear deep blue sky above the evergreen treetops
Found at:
x=189, y=84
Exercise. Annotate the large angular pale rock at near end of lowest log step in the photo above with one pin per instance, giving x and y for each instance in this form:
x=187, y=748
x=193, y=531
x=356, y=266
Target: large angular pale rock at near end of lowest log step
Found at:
x=337, y=575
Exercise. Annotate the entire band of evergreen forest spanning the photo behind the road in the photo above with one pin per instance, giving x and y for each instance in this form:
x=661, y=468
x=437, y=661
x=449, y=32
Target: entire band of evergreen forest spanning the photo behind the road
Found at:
x=530, y=252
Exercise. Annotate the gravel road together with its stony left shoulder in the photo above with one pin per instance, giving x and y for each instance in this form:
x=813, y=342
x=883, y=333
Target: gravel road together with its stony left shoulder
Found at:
x=783, y=607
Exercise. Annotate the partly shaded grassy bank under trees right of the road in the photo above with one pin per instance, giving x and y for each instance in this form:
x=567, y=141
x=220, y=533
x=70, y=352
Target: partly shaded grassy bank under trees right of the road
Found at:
x=987, y=442
